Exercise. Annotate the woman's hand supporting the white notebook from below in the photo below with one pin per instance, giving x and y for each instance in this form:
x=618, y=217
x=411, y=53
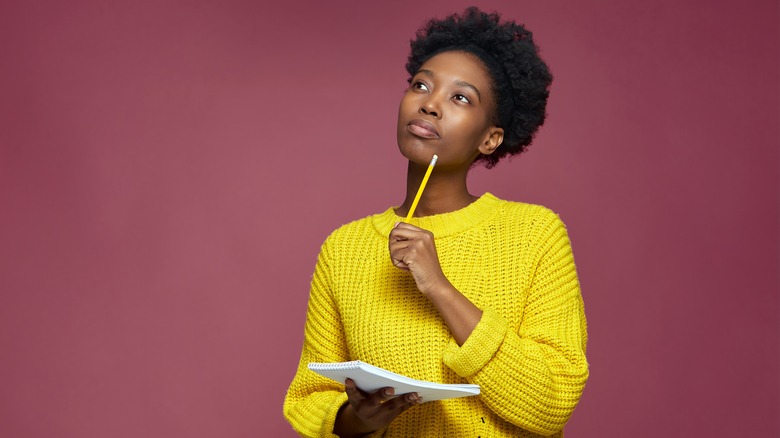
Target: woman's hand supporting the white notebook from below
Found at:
x=366, y=412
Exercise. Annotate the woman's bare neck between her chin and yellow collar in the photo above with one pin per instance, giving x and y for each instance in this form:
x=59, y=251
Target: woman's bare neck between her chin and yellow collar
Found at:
x=445, y=192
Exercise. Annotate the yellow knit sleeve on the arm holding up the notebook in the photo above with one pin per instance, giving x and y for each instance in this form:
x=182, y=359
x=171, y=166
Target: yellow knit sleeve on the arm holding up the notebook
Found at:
x=313, y=401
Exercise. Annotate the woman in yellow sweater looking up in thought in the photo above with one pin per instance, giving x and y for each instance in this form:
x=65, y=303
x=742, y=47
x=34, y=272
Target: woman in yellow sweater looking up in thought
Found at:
x=472, y=289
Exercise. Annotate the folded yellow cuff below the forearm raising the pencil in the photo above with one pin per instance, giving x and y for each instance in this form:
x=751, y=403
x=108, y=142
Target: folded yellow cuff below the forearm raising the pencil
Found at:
x=483, y=343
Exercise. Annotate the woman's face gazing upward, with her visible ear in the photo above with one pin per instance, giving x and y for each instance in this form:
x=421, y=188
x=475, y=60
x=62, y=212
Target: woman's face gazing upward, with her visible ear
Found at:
x=447, y=111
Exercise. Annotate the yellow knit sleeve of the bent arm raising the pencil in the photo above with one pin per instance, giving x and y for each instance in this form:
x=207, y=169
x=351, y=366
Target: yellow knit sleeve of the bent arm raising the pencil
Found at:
x=532, y=376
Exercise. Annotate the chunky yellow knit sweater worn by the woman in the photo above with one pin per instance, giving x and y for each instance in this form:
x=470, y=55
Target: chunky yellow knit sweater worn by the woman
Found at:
x=527, y=353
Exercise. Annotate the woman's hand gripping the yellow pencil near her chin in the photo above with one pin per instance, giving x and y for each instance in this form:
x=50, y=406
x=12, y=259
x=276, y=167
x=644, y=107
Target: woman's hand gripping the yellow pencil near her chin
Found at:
x=413, y=249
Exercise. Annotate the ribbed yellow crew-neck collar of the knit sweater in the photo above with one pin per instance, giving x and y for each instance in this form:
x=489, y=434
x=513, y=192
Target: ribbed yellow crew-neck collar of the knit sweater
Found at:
x=445, y=224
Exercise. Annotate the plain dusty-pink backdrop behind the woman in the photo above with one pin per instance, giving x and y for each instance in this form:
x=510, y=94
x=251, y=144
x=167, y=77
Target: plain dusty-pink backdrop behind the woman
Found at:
x=168, y=171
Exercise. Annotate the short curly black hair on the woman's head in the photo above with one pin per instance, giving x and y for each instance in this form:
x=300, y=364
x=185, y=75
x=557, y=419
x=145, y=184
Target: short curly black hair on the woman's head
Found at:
x=521, y=80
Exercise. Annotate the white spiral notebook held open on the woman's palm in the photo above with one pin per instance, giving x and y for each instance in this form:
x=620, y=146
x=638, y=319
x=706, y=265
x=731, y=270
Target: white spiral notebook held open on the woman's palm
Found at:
x=370, y=378
